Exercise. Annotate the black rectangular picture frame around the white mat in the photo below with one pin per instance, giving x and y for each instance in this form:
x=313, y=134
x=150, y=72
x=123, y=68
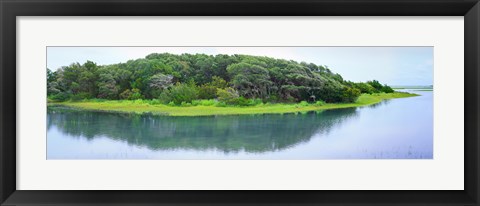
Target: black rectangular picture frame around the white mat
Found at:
x=10, y=9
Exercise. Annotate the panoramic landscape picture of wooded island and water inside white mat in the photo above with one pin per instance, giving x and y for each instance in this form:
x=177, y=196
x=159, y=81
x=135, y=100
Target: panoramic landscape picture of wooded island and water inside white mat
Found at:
x=239, y=103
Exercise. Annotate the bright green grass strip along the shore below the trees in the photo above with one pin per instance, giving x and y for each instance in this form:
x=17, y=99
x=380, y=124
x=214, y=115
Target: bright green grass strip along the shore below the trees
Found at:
x=147, y=106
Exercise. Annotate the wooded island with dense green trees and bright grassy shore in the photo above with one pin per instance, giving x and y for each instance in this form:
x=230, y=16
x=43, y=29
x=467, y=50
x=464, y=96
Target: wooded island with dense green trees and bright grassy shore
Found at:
x=226, y=84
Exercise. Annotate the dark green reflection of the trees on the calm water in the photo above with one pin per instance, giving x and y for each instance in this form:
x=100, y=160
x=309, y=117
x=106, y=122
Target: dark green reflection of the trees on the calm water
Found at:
x=250, y=133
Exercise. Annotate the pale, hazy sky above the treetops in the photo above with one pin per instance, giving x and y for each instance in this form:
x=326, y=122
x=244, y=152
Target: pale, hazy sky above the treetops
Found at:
x=394, y=66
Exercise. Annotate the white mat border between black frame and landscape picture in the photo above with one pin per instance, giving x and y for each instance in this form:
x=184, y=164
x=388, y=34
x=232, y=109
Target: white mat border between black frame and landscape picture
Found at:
x=445, y=171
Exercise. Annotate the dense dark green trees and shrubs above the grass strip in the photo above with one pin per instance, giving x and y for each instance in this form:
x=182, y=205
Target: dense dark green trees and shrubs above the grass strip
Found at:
x=233, y=79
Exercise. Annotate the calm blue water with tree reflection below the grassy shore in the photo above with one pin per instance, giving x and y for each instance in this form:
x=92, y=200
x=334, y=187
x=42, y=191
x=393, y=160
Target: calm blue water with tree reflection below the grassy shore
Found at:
x=398, y=129
